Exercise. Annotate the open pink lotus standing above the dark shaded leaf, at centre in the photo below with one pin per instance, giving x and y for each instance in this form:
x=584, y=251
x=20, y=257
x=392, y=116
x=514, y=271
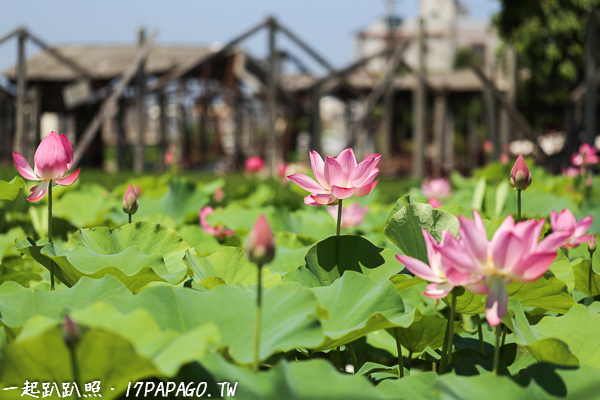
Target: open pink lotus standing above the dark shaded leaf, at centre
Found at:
x=338, y=178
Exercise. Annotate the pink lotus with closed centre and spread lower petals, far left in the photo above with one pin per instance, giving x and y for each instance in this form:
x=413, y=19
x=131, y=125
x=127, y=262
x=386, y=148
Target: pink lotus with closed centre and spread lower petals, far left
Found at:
x=53, y=159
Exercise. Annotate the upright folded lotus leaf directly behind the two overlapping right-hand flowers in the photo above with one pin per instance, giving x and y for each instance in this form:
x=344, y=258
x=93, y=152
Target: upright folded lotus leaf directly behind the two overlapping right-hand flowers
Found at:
x=404, y=228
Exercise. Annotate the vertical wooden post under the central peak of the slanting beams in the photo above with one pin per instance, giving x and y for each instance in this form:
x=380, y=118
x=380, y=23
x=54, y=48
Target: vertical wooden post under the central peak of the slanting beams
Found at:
x=271, y=101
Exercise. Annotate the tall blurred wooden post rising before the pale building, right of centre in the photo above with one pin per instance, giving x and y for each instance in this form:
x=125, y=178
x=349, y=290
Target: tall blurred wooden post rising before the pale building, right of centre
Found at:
x=419, y=104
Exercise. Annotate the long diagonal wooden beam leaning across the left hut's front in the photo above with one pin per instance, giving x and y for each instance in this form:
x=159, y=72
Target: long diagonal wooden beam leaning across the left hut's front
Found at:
x=92, y=129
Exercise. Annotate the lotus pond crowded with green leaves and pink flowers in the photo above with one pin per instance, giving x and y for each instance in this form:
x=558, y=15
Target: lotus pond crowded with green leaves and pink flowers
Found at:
x=170, y=298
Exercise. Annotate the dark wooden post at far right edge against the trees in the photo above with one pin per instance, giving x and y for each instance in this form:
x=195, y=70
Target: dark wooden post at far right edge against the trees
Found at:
x=591, y=79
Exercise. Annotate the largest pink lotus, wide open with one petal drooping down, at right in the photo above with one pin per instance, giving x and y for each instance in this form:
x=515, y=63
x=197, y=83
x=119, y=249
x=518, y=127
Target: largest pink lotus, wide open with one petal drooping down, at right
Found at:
x=513, y=254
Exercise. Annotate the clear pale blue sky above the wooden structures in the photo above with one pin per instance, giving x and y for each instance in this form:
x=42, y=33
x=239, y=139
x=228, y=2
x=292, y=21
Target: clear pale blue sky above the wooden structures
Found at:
x=327, y=25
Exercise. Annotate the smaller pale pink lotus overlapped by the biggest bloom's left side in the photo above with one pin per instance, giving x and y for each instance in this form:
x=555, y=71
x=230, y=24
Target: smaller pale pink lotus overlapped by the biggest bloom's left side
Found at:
x=442, y=275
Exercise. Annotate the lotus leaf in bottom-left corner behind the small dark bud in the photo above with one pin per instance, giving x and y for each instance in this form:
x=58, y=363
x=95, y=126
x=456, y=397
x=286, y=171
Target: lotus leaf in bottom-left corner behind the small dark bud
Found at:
x=101, y=356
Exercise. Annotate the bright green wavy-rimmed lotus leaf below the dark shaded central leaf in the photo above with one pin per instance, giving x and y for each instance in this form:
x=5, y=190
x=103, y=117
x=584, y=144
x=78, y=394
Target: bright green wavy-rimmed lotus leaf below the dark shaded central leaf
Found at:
x=356, y=306
